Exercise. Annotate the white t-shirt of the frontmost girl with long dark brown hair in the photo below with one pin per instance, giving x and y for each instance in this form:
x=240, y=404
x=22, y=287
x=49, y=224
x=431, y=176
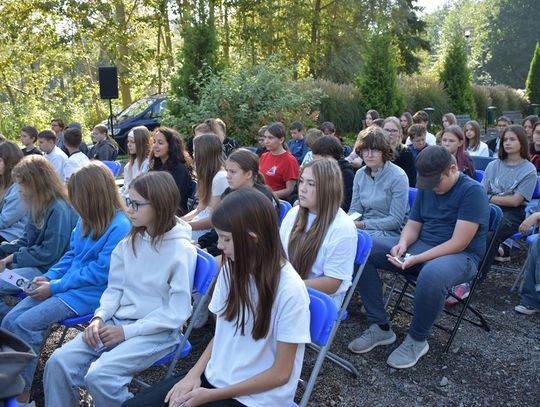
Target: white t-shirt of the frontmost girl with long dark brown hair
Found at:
x=237, y=357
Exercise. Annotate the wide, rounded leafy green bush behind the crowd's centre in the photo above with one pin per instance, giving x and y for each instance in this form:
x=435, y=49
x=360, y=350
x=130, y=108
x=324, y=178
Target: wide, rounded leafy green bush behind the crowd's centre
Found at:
x=246, y=99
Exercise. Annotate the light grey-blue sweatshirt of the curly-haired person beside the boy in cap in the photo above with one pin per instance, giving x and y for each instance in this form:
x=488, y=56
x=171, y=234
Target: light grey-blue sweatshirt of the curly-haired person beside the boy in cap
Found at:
x=382, y=200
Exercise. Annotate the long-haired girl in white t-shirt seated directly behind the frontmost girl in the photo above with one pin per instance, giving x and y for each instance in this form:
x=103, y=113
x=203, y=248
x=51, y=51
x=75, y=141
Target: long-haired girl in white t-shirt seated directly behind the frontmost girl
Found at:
x=317, y=235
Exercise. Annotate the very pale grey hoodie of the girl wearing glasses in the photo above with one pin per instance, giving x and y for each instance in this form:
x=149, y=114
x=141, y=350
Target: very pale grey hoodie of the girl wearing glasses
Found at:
x=153, y=287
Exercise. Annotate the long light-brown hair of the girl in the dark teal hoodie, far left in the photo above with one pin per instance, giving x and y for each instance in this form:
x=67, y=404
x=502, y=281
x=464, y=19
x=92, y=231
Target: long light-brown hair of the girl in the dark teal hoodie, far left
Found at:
x=32, y=173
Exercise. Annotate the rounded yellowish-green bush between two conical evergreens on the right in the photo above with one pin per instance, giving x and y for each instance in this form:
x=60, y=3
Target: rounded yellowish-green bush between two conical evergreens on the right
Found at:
x=423, y=91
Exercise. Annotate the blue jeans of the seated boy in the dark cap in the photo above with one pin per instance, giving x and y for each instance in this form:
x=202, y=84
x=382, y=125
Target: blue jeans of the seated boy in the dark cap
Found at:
x=434, y=279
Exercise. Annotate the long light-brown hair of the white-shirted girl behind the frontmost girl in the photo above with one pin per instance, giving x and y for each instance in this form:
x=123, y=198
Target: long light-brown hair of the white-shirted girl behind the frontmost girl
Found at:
x=304, y=244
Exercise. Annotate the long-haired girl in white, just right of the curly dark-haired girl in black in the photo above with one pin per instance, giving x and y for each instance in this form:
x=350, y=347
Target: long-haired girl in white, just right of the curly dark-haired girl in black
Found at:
x=211, y=182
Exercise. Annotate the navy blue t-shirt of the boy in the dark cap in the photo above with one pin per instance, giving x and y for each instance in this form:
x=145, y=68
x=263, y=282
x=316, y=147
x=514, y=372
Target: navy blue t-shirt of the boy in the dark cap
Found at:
x=467, y=200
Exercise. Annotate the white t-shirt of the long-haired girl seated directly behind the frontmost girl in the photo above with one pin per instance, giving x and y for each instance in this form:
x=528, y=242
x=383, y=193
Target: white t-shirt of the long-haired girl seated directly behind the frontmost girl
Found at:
x=337, y=252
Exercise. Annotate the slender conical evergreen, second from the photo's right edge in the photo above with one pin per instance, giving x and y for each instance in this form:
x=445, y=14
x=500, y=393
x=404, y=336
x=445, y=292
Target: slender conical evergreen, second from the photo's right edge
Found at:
x=456, y=78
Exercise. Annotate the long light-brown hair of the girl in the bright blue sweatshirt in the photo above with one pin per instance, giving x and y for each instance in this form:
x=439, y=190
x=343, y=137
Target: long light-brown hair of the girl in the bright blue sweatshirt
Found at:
x=95, y=197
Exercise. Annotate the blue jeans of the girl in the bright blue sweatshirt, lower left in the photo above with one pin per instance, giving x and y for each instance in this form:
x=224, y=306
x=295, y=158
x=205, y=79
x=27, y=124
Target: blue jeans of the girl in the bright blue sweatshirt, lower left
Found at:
x=30, y=320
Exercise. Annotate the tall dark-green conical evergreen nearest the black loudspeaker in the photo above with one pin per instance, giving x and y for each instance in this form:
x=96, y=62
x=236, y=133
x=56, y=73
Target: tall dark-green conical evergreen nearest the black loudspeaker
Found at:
x=199, y=53
